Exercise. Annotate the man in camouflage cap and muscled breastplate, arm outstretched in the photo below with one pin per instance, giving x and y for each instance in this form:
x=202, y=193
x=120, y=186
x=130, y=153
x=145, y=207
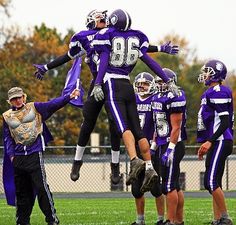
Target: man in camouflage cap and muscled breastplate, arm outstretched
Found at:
x=25, y=136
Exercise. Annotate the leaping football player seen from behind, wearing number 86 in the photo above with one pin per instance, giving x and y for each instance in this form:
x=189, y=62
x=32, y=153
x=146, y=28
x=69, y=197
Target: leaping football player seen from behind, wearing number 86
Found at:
x=119, y=48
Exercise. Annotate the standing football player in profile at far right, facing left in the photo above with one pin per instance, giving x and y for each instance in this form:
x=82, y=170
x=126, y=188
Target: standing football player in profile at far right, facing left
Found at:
x=215, y=132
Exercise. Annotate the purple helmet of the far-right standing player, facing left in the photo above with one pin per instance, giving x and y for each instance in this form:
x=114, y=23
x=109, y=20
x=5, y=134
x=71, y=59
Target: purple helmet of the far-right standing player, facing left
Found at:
x=212, y=71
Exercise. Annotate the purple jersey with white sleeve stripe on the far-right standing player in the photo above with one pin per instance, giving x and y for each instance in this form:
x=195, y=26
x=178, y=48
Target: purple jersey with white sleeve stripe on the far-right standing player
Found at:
x=215, y=102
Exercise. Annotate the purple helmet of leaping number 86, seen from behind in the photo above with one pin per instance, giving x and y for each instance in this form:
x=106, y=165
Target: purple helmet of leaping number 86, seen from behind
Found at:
x=120, y=19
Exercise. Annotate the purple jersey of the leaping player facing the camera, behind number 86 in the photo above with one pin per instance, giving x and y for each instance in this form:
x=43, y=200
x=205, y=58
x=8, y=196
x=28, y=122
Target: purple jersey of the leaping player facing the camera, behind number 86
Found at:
x=81, y=42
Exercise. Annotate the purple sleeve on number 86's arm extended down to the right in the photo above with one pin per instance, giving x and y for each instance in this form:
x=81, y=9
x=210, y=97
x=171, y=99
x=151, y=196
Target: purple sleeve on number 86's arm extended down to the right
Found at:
x=154, y=66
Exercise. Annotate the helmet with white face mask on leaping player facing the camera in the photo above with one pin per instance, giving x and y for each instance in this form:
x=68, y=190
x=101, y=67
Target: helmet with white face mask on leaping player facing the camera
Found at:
x=95, y=16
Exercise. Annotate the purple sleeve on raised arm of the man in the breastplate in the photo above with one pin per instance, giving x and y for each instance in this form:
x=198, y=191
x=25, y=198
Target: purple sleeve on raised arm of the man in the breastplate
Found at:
x=46, y=109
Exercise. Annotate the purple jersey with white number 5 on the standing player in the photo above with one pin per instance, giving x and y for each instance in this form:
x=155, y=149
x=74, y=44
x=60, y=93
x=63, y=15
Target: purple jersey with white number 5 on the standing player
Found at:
x=163, y=105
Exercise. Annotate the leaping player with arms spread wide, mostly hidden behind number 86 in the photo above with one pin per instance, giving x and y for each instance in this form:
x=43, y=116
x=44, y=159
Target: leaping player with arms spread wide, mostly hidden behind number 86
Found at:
x=79, y=45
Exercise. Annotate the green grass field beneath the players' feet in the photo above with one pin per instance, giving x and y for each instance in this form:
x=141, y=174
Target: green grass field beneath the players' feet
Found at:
x=112, y=211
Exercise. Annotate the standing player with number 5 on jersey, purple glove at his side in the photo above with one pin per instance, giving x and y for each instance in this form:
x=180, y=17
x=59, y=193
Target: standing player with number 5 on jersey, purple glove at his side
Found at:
x=169, y=114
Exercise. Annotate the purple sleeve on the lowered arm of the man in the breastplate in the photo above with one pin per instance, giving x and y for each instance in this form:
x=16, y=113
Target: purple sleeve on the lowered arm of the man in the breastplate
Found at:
x=9, y=142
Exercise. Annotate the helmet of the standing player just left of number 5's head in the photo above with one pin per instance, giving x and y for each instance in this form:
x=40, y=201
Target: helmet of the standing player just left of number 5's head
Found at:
x=139, y=84
